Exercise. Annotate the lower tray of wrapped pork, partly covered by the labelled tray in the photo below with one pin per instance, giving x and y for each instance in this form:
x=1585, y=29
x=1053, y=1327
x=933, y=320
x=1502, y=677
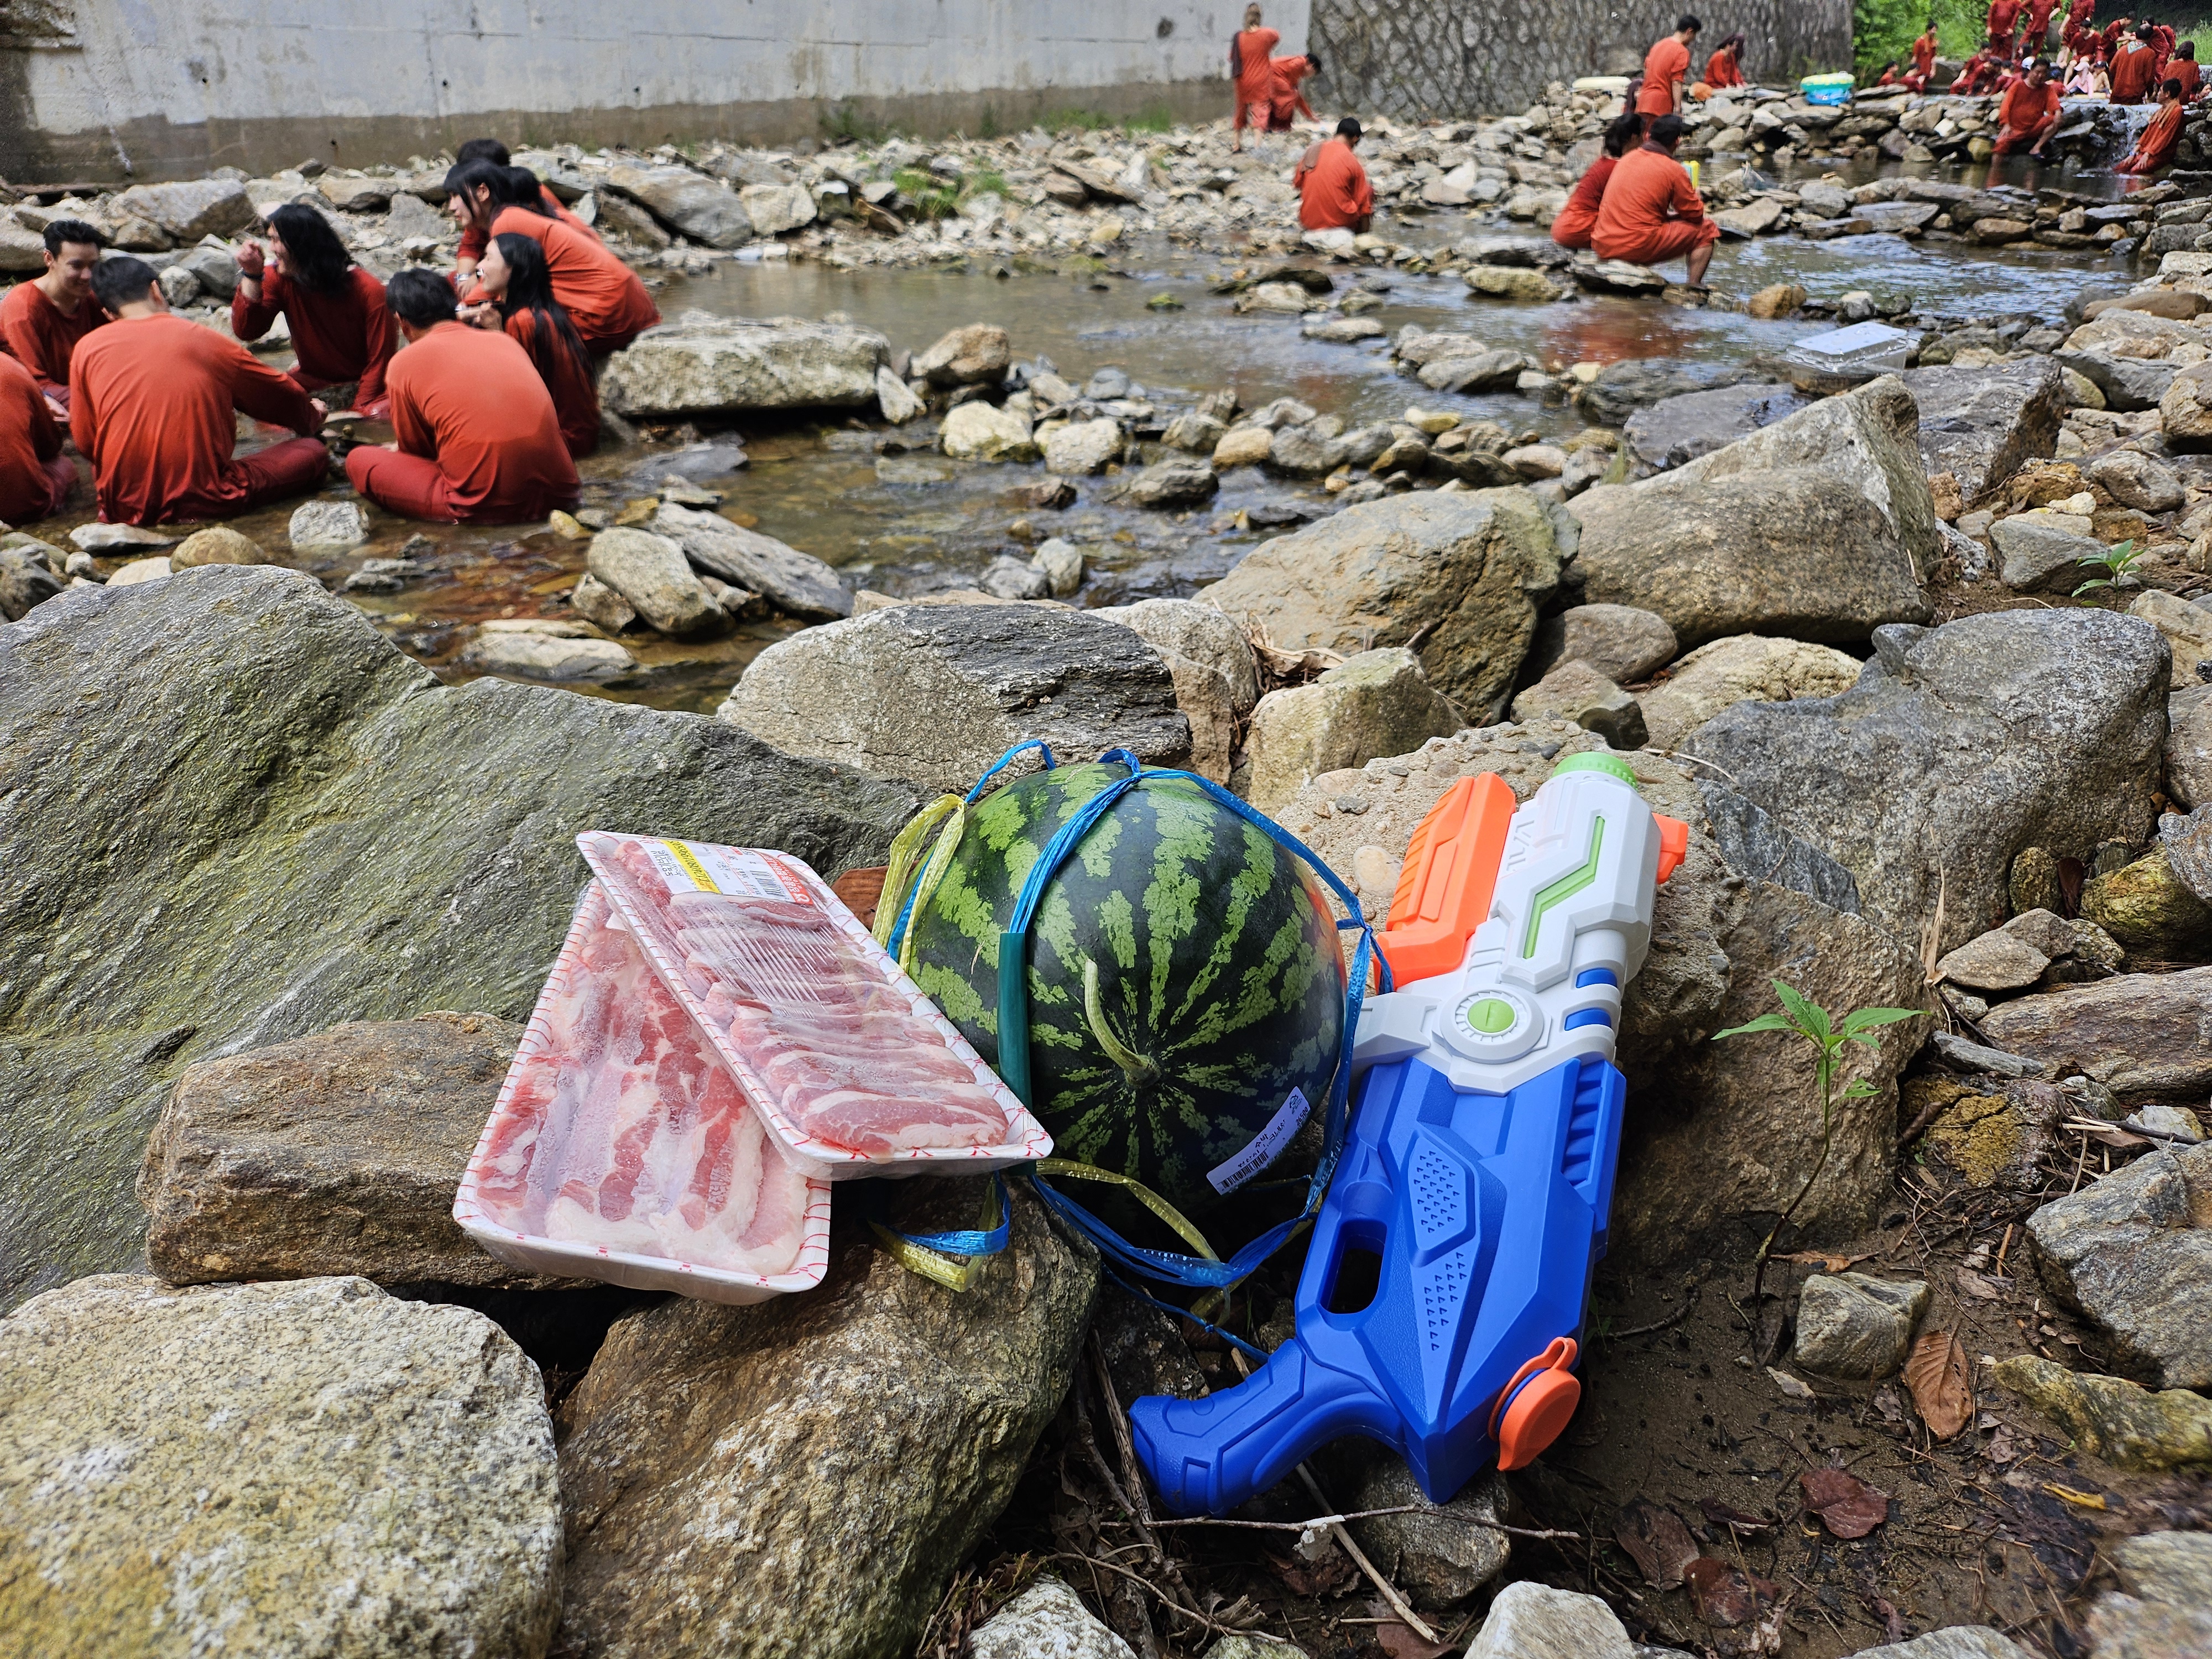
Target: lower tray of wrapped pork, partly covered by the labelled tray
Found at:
x=625, y=1149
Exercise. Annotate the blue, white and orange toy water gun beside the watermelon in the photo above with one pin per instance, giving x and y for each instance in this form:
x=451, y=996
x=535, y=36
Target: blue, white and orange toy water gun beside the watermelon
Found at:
x=1443, y=1291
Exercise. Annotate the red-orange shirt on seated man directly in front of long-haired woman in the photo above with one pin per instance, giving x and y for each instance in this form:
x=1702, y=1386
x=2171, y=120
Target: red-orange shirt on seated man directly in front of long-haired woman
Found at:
x=472, y=401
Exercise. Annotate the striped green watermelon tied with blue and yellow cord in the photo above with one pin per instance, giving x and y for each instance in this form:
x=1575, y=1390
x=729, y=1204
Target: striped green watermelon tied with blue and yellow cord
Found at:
x=1185, y=977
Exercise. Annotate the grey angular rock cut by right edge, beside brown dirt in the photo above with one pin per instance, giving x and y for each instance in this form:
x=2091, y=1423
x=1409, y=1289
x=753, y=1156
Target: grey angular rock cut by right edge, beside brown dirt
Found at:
x=2133, y=1255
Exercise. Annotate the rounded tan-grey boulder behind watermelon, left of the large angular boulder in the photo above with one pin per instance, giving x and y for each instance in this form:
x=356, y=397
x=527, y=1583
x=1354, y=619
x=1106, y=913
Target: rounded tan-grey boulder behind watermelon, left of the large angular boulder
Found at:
x=1468, y=572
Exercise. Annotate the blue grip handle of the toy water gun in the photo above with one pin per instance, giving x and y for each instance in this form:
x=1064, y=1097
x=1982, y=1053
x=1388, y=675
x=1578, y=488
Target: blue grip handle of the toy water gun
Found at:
x=1218, y=1452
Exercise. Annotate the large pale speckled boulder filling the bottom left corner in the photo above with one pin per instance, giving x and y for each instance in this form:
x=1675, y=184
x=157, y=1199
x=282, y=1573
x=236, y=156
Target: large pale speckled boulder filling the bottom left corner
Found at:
x=304, y=1468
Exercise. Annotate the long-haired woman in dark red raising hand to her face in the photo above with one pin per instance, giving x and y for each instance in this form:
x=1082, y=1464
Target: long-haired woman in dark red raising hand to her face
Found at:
x=333, y=306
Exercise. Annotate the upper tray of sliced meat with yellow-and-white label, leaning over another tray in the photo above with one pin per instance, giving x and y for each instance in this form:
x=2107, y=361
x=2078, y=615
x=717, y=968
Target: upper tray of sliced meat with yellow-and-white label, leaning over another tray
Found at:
x=848, y=1063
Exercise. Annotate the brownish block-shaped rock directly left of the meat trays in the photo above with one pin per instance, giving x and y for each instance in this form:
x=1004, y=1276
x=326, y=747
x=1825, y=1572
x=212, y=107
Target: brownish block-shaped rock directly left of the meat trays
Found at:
x=331, y=1156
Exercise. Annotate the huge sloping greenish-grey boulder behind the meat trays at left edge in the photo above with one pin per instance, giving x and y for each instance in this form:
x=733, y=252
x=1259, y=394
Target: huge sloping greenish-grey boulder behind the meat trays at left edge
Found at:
x=236, y=846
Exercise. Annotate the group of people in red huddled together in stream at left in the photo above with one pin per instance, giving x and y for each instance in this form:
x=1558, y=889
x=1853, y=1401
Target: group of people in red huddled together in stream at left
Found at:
x=492, y=401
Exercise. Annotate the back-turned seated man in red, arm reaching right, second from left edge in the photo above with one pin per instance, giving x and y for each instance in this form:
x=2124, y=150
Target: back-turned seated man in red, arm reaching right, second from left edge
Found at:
x=156, y=408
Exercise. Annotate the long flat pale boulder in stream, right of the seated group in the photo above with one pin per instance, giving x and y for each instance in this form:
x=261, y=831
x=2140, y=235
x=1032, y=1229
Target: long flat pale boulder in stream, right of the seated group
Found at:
x=709, y=364
